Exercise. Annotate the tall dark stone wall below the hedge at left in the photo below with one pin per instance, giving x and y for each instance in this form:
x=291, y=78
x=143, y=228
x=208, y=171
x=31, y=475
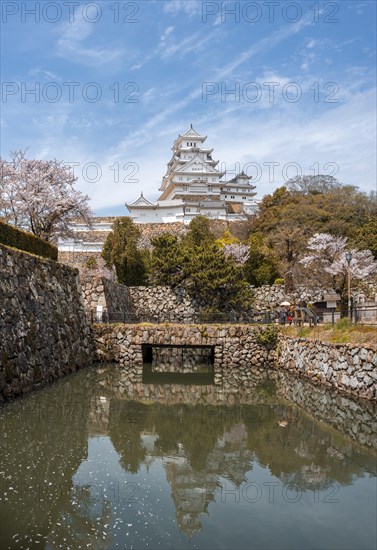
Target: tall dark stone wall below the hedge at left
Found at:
x=44, y=332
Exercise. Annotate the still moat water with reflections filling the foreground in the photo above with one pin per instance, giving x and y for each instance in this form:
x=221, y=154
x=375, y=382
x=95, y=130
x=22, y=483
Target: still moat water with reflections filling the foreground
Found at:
x=95, y=461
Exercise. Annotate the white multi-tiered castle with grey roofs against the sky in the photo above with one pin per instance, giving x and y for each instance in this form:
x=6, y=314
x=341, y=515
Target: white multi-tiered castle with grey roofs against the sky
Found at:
x=193, y=185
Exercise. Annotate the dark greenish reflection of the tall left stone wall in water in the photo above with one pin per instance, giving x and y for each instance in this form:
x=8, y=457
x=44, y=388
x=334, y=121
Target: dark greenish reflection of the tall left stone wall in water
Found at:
x=44, y=440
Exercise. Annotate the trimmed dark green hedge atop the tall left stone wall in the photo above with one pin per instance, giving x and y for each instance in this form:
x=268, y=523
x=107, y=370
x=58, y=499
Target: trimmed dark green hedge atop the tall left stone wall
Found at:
x=11, y=236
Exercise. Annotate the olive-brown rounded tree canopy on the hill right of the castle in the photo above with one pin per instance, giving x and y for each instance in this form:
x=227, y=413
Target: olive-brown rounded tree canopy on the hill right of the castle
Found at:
x=291, y=215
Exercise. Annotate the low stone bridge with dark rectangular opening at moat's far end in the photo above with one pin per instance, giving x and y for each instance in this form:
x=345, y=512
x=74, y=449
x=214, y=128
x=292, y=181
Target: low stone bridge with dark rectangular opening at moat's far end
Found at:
x=234, y=353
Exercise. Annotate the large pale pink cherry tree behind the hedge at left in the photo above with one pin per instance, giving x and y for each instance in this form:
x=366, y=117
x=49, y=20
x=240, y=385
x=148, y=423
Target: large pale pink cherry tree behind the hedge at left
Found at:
x=39, y=196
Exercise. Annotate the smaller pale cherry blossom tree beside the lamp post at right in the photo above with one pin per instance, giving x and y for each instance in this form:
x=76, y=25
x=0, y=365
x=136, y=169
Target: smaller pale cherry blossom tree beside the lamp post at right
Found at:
x=327, y=255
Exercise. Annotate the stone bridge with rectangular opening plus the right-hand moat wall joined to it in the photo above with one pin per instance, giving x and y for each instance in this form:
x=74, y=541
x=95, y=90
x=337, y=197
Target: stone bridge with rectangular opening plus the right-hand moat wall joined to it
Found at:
x=235, y=355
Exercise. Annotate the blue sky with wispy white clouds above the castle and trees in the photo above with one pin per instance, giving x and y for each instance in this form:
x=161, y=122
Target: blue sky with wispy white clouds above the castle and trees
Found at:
x=279, y=88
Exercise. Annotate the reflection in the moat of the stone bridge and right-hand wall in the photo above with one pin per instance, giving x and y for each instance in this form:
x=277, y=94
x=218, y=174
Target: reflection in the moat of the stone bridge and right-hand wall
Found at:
x=356, y=419
